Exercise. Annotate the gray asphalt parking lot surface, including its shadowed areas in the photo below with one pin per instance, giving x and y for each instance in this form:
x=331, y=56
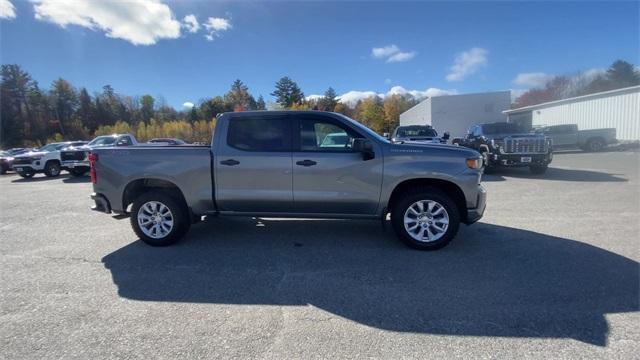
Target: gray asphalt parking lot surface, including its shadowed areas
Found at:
x=551, y=271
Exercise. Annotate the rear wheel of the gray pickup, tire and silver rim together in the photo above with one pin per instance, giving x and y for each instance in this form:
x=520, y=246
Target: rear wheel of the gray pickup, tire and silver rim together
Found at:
x=159, y=219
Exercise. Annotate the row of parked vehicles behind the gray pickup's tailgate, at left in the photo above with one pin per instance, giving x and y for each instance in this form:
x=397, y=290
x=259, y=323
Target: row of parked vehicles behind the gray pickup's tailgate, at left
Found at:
x=71, y=156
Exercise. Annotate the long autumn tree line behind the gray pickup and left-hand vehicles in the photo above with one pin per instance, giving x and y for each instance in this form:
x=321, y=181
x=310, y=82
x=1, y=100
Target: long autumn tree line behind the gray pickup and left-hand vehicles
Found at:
x=33, y=116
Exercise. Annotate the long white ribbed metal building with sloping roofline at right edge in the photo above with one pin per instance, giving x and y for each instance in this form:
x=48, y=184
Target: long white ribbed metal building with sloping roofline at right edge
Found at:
x=619, y=109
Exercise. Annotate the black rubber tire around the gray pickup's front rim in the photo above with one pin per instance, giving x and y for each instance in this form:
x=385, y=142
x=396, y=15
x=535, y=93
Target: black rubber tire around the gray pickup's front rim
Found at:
x=427, y=193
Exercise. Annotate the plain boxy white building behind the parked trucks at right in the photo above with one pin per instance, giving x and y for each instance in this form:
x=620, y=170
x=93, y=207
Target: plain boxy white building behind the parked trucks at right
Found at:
x=456, y=113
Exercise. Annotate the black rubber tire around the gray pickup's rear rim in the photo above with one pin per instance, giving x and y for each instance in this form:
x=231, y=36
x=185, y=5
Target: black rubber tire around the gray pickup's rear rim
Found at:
x=178, y=209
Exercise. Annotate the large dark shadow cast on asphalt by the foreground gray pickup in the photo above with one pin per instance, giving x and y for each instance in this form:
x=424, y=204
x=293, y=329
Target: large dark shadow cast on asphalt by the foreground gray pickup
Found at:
x=490, y=281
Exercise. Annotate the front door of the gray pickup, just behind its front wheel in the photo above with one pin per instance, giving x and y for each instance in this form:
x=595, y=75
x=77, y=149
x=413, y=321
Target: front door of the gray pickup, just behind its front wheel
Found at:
x=329, y=177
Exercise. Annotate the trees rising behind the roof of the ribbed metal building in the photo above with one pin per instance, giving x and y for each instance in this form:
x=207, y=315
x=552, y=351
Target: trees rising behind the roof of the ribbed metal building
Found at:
x=620, y=74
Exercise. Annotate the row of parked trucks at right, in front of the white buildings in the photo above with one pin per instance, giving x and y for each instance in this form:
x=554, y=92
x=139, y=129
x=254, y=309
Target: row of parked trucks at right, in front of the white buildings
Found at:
x=504, y=144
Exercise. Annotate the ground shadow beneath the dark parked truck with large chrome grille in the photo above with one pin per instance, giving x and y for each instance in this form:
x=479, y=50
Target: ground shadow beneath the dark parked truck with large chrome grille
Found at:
x=553, y=174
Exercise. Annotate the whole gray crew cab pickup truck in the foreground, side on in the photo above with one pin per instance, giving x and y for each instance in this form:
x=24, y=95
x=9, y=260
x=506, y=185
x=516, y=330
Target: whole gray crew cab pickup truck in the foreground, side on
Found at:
x=276, y=164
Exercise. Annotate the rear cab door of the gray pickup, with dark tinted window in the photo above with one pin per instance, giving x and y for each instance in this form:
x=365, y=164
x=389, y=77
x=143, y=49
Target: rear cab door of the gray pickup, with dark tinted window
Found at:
x=252, y=164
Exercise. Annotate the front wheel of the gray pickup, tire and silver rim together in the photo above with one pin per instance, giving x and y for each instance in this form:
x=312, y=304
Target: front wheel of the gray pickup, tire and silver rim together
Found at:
x=425, y=219
